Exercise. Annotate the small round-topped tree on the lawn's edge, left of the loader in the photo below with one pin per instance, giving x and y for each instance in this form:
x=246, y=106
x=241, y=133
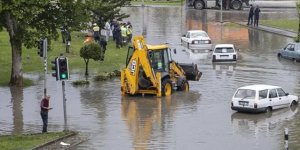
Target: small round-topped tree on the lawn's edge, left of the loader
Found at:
x=91, y=51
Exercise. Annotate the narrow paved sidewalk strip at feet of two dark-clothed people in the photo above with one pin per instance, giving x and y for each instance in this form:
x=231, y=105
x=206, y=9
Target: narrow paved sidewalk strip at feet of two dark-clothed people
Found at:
x=278, y=31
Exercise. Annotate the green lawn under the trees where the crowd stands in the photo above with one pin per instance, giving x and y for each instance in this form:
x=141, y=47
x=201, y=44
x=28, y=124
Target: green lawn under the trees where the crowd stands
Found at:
x=32, y=63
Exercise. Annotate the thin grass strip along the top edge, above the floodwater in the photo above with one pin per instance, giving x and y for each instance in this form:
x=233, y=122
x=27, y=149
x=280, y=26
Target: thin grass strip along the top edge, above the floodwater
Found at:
x=159, y=2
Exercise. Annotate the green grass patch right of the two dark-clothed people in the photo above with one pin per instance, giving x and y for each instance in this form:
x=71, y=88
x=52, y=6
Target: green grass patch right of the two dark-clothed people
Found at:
x=282, y=24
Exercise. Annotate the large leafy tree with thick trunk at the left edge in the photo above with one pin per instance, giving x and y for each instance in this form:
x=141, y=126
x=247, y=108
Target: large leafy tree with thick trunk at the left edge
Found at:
x=27, y=21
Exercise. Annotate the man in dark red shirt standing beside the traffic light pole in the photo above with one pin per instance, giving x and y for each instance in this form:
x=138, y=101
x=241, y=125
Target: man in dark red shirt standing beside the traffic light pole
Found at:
x=44, y=112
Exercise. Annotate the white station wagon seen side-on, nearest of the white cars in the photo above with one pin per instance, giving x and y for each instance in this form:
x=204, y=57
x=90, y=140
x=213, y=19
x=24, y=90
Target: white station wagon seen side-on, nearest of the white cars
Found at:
x=261, y=98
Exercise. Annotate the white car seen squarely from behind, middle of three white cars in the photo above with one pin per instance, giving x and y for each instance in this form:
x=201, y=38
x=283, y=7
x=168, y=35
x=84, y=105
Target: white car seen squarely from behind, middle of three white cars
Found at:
x=224, y=52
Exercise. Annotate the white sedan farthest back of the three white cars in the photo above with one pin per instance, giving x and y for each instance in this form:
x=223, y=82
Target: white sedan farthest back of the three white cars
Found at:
x=196, y=39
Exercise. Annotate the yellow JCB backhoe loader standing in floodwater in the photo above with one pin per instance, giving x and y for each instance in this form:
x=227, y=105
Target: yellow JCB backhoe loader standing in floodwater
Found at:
x=150, y=70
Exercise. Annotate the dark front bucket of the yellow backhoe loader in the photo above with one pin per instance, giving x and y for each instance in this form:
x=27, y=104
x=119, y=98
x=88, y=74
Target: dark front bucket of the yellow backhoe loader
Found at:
x=191, y=71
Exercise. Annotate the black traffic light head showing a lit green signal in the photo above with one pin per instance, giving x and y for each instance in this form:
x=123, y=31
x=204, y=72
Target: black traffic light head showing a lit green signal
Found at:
x=63, y=70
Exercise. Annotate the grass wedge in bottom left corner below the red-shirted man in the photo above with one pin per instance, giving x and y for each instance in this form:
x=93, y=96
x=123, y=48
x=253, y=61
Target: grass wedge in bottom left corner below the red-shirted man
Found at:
x=14, y=142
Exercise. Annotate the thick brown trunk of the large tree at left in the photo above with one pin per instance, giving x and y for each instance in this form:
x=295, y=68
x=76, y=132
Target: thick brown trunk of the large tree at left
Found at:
x=16, y=78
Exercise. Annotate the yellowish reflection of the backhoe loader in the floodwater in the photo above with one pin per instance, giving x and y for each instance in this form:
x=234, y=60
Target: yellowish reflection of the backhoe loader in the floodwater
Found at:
x=148, y=117
